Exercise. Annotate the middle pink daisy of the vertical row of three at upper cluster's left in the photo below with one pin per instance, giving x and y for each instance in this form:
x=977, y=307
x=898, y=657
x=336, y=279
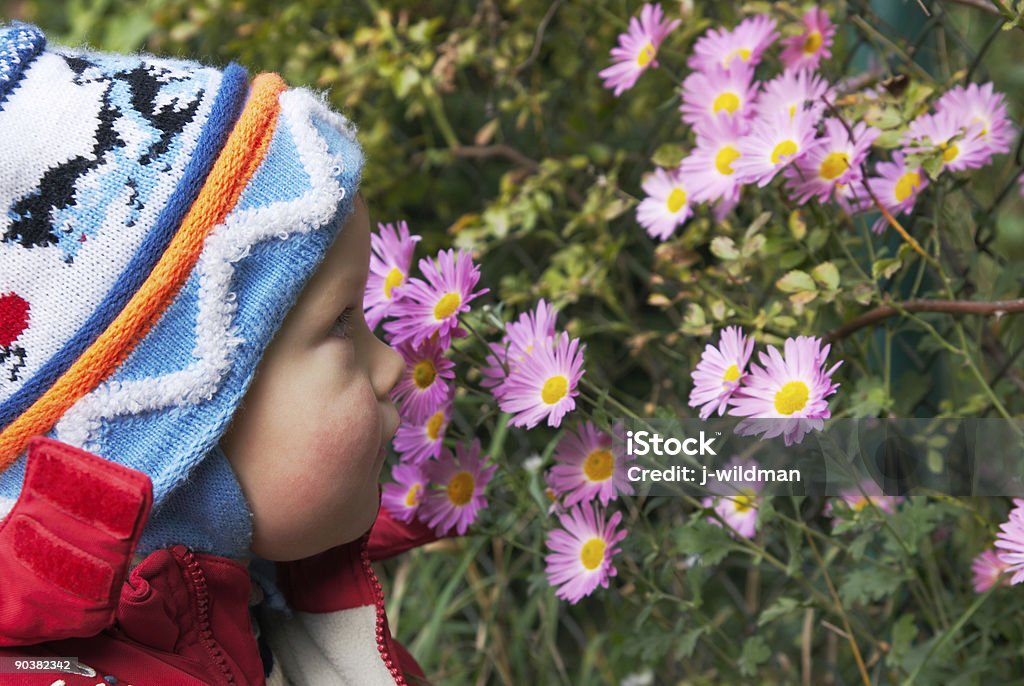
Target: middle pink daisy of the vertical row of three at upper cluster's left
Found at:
x=718, y=94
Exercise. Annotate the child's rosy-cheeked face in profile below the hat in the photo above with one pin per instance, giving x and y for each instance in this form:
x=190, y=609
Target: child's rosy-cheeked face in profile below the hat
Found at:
x=309, y=441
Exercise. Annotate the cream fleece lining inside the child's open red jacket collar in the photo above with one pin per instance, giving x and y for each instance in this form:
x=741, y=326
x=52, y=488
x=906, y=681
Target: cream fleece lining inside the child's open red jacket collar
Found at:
x=330, y=649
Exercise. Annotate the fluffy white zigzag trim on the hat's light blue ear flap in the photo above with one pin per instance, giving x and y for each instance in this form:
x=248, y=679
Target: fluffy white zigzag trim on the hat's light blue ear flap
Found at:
x=228, y=244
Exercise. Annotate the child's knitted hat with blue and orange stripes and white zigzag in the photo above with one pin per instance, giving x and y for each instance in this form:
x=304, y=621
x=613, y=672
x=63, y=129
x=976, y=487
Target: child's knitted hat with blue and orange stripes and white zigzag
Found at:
x=160, y=219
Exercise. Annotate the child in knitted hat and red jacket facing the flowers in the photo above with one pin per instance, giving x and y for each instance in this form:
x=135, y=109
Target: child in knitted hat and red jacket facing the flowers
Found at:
x=187, y=380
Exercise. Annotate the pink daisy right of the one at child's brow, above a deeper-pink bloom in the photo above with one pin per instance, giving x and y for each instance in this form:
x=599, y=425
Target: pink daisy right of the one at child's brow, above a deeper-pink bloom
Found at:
x=433, y=307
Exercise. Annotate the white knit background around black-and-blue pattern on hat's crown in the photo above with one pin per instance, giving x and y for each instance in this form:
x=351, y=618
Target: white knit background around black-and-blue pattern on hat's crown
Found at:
x=47, y=121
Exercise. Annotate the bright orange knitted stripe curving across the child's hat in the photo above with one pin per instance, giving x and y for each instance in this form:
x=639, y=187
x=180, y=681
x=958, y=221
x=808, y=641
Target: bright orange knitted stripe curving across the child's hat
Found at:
x=236, y=165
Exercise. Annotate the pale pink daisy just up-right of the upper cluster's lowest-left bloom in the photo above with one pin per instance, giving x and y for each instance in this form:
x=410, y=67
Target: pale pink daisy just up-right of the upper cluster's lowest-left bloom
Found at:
x=710, y=171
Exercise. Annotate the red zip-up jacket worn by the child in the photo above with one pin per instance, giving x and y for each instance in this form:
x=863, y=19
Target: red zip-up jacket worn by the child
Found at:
x=180, y=619
